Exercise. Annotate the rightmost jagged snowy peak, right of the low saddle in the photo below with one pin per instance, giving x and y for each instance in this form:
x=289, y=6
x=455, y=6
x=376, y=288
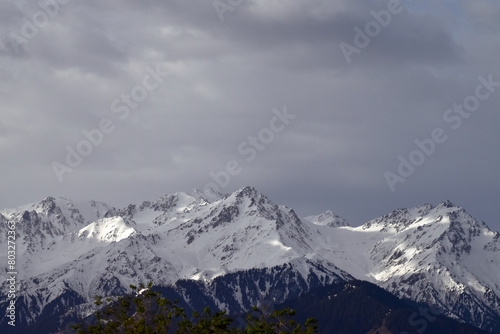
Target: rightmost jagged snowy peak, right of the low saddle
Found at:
x=439, y=255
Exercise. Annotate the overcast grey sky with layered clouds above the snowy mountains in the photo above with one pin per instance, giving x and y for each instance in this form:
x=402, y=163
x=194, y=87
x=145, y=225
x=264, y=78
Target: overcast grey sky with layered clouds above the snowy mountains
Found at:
x=352, y=106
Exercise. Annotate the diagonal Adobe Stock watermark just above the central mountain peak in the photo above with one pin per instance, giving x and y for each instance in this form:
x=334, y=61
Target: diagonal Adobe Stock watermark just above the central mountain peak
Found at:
x=250, y=149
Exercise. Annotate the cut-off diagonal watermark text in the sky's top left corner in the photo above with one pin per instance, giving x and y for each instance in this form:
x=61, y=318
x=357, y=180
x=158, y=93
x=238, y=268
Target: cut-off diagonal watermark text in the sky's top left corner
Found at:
x=32, y=25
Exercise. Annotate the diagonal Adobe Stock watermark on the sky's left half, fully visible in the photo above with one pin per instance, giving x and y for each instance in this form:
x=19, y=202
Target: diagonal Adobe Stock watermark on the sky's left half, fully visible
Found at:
x=121, y=107
